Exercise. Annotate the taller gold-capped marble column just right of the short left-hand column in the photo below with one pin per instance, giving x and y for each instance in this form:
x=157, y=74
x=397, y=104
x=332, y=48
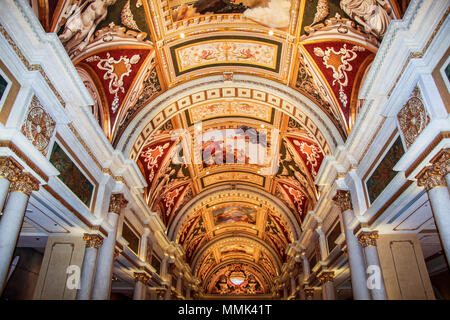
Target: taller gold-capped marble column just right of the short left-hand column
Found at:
x=105, y=263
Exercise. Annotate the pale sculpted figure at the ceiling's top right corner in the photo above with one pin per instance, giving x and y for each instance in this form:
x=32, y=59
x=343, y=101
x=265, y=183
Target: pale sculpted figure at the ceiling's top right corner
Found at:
x=369, y=13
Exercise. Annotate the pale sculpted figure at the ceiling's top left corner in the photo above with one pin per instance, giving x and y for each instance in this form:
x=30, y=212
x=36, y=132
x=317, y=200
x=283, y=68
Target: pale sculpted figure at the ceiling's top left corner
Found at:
x=82, y=23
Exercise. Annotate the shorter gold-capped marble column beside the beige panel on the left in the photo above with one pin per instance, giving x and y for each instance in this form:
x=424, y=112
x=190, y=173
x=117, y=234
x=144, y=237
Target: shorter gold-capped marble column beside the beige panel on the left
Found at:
x=93, y=242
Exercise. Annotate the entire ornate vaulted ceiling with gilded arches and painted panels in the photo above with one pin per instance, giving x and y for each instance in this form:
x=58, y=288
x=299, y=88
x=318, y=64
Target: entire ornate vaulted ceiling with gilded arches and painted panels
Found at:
x=241, y=191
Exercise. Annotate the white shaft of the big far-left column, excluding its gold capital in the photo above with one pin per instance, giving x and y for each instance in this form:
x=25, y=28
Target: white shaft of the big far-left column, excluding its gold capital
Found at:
x=10, y=225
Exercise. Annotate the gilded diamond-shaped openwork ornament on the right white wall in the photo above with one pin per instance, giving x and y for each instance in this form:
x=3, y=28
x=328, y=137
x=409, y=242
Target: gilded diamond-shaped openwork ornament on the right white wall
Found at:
x=413, y=118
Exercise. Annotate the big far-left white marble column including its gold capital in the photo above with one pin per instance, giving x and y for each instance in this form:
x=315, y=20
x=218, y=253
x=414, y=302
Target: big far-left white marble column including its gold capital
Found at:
x=12, y=219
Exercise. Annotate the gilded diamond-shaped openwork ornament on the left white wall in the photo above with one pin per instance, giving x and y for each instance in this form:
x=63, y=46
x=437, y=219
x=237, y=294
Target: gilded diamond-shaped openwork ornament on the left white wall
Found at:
x=38, y=126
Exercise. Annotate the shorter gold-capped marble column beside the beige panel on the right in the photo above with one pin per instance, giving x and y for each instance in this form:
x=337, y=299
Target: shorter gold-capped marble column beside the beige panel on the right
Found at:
x=368, y=240
